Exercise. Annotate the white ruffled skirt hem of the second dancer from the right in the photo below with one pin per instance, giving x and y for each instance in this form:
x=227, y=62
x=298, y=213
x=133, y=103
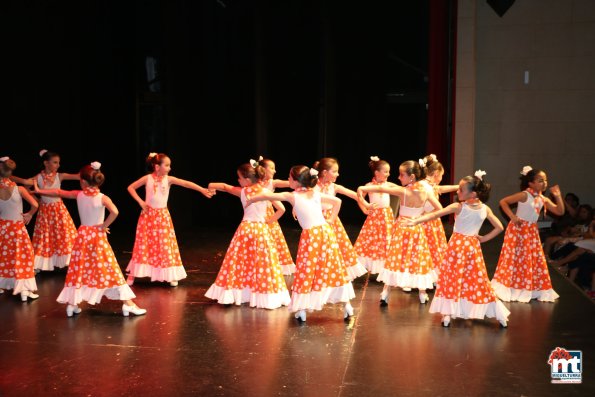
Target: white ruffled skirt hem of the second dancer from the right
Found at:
x=468, y=310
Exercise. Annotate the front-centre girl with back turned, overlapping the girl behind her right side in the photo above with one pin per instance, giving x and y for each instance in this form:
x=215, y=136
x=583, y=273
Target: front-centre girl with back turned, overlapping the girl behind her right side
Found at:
x=321, y=276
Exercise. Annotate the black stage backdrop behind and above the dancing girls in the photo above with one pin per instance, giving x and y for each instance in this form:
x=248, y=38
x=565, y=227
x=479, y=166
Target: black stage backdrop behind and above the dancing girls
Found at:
x=214, y=83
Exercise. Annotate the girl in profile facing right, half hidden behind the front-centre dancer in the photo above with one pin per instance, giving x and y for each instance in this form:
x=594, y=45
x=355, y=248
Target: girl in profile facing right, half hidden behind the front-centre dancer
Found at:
x=328, y=172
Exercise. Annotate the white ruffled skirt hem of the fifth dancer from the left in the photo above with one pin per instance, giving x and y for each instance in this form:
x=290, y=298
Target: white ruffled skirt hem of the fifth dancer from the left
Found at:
x=258, y=300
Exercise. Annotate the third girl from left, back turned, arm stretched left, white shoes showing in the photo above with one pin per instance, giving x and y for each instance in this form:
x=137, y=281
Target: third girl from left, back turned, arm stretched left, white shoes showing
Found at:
x=93, y=271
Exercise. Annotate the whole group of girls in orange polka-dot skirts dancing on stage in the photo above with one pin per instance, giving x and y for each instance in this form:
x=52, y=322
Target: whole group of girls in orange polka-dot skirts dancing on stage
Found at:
x=409, y=252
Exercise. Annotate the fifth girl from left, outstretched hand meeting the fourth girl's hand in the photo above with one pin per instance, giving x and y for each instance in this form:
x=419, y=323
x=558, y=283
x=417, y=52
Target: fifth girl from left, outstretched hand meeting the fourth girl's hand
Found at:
x=251, y=271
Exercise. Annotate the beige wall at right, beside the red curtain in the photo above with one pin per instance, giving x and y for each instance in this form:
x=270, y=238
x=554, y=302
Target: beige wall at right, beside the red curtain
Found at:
x=501, y=123
